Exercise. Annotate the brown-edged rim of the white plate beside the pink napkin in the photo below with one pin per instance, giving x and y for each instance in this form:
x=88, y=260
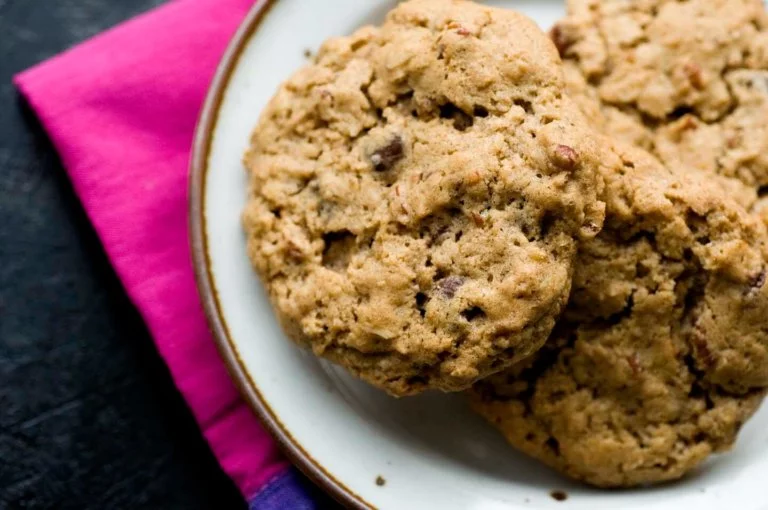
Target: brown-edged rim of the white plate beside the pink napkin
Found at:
x=204, y=277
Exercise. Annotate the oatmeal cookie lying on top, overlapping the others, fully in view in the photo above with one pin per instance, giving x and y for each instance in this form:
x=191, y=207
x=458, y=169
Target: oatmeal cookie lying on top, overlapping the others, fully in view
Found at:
x=415, y=196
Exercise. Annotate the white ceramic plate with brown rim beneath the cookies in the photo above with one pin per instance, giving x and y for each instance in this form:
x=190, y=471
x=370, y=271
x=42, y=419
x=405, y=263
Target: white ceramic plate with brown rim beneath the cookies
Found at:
x=431, y=451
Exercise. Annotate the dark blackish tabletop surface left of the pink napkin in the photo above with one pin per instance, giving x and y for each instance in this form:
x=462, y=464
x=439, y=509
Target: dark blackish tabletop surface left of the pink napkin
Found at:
x=89, y=417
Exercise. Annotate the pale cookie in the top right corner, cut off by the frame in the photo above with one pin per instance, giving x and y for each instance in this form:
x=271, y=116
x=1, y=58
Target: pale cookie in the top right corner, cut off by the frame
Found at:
x=685, y=80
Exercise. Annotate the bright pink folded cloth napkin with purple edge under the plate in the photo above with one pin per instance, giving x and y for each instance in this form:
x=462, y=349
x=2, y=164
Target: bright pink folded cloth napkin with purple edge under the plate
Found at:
x=121, y=110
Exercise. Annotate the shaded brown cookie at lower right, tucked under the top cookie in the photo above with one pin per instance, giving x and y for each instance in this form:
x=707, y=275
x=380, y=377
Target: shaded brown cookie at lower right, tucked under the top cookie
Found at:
x=663, y=351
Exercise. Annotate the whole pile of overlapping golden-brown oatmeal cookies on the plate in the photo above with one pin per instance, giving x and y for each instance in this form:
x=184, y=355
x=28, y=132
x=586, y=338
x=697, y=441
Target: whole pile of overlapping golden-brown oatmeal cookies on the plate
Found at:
x=569, y=229
